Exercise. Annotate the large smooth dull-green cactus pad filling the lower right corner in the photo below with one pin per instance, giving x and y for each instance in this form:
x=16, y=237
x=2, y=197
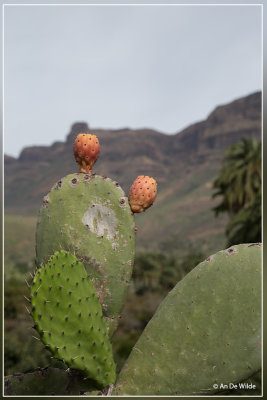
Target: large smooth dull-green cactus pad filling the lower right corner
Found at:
x=207, y=331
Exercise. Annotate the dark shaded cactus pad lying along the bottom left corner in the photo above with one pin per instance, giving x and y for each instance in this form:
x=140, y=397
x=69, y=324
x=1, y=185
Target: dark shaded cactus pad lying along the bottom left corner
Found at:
x=50, y=382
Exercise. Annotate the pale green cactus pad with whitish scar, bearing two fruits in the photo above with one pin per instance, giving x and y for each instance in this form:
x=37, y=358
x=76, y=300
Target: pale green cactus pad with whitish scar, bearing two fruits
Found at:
x=90, y=216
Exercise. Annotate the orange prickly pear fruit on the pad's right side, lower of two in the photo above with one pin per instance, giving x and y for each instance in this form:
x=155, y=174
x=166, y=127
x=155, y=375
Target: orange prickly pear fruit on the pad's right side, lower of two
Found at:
x=142, y=193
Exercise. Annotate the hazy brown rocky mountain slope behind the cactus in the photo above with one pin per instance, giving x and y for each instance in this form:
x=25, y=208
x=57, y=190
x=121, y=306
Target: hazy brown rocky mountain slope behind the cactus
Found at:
x=184, y=165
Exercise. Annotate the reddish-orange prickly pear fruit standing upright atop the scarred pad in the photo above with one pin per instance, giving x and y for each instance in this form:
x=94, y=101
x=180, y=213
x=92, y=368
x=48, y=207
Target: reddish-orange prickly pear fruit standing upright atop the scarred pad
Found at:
x=86, y=151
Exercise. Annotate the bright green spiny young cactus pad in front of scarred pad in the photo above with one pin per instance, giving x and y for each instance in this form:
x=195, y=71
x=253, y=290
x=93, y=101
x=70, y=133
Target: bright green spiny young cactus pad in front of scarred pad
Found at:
x=69, y=319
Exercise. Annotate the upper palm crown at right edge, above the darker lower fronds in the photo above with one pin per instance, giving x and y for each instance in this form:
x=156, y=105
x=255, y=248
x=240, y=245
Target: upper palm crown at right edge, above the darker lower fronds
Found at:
x=239, y=180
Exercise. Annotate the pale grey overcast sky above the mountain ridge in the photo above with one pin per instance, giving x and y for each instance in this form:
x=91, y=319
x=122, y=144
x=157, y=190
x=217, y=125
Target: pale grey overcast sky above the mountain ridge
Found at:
x=114, y=67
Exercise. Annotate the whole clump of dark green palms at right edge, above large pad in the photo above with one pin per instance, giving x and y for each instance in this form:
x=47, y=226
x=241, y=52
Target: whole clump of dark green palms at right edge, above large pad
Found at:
x=239, y=184
